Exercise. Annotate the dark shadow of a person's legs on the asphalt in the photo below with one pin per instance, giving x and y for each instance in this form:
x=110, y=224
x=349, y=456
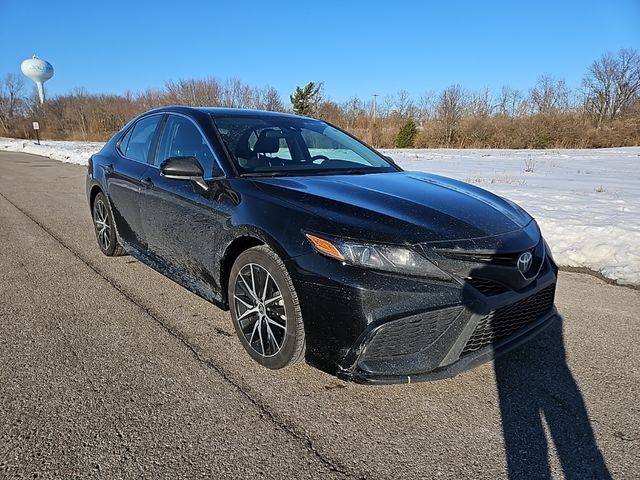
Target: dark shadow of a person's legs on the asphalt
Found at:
x=540, y=398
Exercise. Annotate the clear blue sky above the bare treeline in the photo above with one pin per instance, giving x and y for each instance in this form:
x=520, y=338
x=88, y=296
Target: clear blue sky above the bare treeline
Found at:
x=356, y=47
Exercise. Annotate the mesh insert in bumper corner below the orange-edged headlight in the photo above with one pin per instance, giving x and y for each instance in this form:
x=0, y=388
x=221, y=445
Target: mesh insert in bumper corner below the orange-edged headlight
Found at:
x=411, y=334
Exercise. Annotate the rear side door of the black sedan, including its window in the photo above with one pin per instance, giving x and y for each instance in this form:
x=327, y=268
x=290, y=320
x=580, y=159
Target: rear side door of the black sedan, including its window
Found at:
x=123, y=178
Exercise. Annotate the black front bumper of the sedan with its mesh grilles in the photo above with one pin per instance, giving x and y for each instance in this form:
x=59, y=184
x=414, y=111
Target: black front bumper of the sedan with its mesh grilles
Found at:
x=372, y=327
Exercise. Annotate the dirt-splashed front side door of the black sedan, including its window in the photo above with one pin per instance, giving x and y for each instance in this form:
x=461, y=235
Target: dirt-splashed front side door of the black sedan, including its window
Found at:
x=183, y=224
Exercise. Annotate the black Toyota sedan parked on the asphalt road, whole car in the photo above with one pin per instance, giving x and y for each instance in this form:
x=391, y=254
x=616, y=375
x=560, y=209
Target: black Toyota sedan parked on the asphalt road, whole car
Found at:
x=321, y=247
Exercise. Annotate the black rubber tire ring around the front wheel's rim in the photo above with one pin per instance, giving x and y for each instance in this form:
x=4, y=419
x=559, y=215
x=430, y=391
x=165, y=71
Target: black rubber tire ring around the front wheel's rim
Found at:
x=260, y=257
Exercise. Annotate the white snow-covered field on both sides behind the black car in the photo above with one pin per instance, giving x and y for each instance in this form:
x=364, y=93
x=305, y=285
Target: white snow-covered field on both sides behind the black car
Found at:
x=587, y=202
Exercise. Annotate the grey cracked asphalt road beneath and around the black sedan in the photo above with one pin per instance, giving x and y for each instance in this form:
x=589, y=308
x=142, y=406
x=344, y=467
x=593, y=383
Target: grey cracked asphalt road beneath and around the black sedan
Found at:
x=109, y=370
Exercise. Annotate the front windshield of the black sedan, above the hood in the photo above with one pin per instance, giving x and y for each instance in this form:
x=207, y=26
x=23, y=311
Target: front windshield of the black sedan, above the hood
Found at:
x=274, y=145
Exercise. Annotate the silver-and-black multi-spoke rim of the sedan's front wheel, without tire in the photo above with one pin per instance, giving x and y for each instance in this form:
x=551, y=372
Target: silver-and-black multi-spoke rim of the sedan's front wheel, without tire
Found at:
x=260, y=307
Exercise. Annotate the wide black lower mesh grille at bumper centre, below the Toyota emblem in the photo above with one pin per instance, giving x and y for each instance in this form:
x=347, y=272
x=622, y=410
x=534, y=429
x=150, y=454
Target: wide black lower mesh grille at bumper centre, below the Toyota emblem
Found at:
x=506, y=320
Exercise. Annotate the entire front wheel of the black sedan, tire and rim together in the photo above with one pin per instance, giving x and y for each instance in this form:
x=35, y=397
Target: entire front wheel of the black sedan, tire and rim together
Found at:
x=264, y=308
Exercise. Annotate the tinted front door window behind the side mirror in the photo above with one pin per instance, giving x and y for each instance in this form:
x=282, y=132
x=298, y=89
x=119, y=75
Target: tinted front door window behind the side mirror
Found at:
x=181, y=138
